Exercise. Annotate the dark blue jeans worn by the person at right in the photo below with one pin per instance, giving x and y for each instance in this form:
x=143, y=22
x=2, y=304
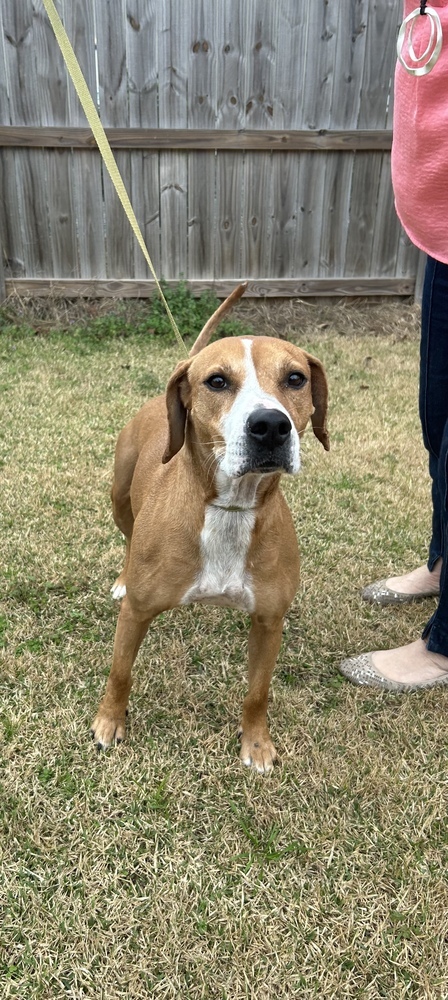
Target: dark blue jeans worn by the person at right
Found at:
x=434, y=417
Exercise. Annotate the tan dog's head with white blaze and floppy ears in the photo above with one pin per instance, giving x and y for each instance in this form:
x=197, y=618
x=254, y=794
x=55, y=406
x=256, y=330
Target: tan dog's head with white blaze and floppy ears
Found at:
x=247, y=402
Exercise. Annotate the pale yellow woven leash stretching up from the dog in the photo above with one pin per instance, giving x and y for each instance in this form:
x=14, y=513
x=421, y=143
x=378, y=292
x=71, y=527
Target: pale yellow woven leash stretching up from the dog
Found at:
x=93, y=119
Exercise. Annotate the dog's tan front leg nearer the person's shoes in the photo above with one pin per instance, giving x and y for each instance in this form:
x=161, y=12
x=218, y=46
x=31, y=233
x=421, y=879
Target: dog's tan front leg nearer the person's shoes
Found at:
x=257, y=749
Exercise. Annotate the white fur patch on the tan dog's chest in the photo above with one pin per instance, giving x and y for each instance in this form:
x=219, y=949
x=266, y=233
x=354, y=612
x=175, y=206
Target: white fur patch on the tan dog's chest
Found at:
x=223, y=578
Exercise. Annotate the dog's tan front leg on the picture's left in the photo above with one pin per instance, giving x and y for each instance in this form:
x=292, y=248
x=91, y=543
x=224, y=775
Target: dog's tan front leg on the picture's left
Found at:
x=109, y=725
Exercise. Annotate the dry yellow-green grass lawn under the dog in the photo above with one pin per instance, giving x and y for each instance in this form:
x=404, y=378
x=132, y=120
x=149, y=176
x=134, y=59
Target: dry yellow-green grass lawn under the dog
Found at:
x=164, y=868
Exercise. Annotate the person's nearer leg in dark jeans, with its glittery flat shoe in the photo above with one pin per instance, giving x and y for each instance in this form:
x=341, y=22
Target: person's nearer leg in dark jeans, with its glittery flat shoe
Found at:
x=426, y=660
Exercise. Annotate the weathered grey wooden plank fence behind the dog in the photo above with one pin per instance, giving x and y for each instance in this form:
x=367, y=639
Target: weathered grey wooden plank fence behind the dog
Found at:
x=253, y=137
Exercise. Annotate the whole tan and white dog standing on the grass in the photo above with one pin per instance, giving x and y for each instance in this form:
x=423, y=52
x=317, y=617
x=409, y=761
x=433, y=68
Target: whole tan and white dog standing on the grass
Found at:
x=196, y=493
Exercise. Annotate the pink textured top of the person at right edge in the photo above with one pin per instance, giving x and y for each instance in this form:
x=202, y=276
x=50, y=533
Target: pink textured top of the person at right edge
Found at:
x=420, y=145
